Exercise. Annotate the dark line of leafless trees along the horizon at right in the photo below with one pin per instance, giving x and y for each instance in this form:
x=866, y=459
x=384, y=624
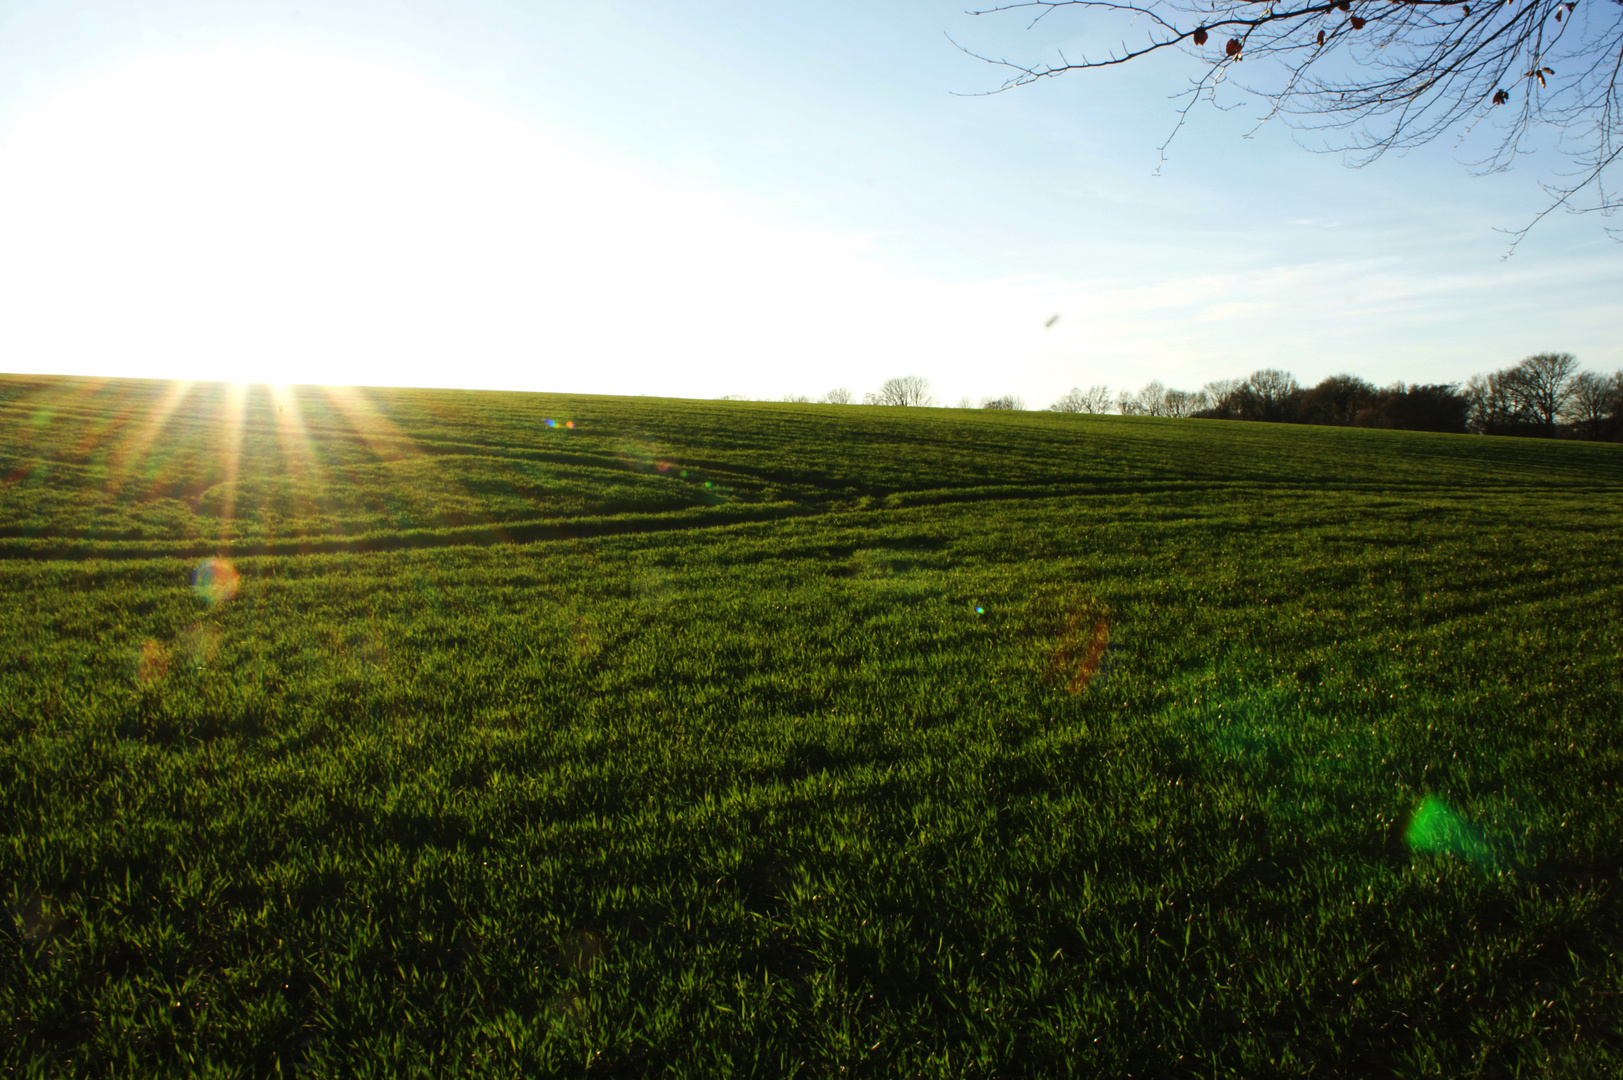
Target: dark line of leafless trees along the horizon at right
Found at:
x=1544, y=395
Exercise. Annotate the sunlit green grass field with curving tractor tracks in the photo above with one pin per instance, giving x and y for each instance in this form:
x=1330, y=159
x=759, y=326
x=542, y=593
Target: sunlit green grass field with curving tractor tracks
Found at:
x=702, y=740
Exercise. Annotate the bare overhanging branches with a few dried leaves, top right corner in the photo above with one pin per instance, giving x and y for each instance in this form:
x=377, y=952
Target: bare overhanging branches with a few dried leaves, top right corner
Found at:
x=1384, y=76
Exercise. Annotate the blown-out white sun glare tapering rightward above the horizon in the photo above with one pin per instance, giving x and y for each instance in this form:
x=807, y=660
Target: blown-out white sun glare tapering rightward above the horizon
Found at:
x=272, y=215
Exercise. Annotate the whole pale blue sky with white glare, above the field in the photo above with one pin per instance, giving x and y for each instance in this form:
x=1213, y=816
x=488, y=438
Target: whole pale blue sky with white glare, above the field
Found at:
x=712, y=199
